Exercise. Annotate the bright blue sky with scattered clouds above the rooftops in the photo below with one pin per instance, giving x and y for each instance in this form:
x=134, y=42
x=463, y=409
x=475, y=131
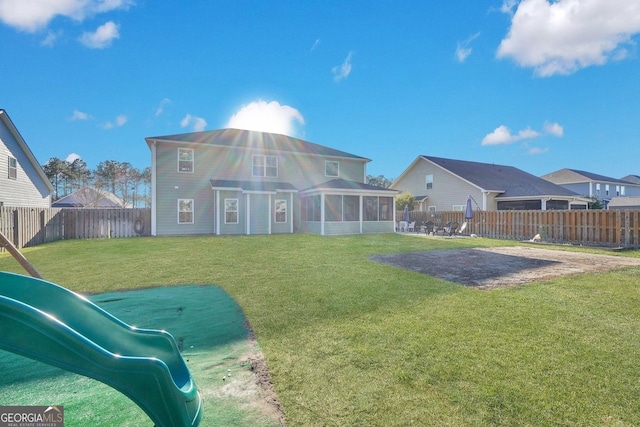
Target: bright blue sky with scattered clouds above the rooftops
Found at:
x=533, y=84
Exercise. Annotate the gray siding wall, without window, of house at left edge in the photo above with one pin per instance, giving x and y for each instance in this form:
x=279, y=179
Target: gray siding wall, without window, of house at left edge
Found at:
x=28, y=190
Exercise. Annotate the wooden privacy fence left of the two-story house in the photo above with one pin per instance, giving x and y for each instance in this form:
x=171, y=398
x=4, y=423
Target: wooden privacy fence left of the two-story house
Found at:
x=26, y=227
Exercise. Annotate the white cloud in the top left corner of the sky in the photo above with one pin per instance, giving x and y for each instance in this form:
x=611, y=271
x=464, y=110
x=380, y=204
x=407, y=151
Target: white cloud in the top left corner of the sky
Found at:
x=32, y=15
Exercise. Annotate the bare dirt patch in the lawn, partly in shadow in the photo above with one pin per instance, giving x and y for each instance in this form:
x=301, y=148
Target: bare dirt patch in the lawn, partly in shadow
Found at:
x=489, y=268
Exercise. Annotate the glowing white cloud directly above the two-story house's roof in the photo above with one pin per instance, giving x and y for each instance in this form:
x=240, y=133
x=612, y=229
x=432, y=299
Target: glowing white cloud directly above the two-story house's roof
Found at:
x=267, y=117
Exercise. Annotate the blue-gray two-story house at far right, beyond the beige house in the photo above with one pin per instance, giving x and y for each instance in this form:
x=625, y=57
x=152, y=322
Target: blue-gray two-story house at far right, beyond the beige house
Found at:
x=589, y=184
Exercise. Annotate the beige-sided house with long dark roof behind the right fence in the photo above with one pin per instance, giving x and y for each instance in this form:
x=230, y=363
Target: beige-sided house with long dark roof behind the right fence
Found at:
x=445, y=184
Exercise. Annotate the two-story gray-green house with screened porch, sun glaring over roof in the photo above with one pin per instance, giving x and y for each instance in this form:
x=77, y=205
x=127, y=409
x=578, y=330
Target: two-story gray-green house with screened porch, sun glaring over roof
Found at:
x=234, y=181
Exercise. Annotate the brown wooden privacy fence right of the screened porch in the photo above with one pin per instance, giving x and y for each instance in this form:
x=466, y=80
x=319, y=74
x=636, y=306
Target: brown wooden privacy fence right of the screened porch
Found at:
x=613, y=228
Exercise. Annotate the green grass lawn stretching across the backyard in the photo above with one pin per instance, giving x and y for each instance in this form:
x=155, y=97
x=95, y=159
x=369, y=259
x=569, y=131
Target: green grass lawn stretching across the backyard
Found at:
x=350, y=342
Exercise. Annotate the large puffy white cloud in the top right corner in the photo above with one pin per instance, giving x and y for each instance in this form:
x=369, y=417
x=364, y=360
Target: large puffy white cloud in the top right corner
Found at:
x=564, y=36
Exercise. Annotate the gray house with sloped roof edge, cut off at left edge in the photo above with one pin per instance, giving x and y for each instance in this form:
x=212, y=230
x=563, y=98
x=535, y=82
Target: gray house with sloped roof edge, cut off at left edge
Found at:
x=23, y=183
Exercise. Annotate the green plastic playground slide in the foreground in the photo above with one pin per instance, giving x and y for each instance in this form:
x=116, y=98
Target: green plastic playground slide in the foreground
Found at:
x=48, y=323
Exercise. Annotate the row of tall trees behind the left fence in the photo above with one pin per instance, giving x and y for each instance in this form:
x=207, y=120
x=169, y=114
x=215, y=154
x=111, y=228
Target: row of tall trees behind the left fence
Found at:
x=131, y=185
